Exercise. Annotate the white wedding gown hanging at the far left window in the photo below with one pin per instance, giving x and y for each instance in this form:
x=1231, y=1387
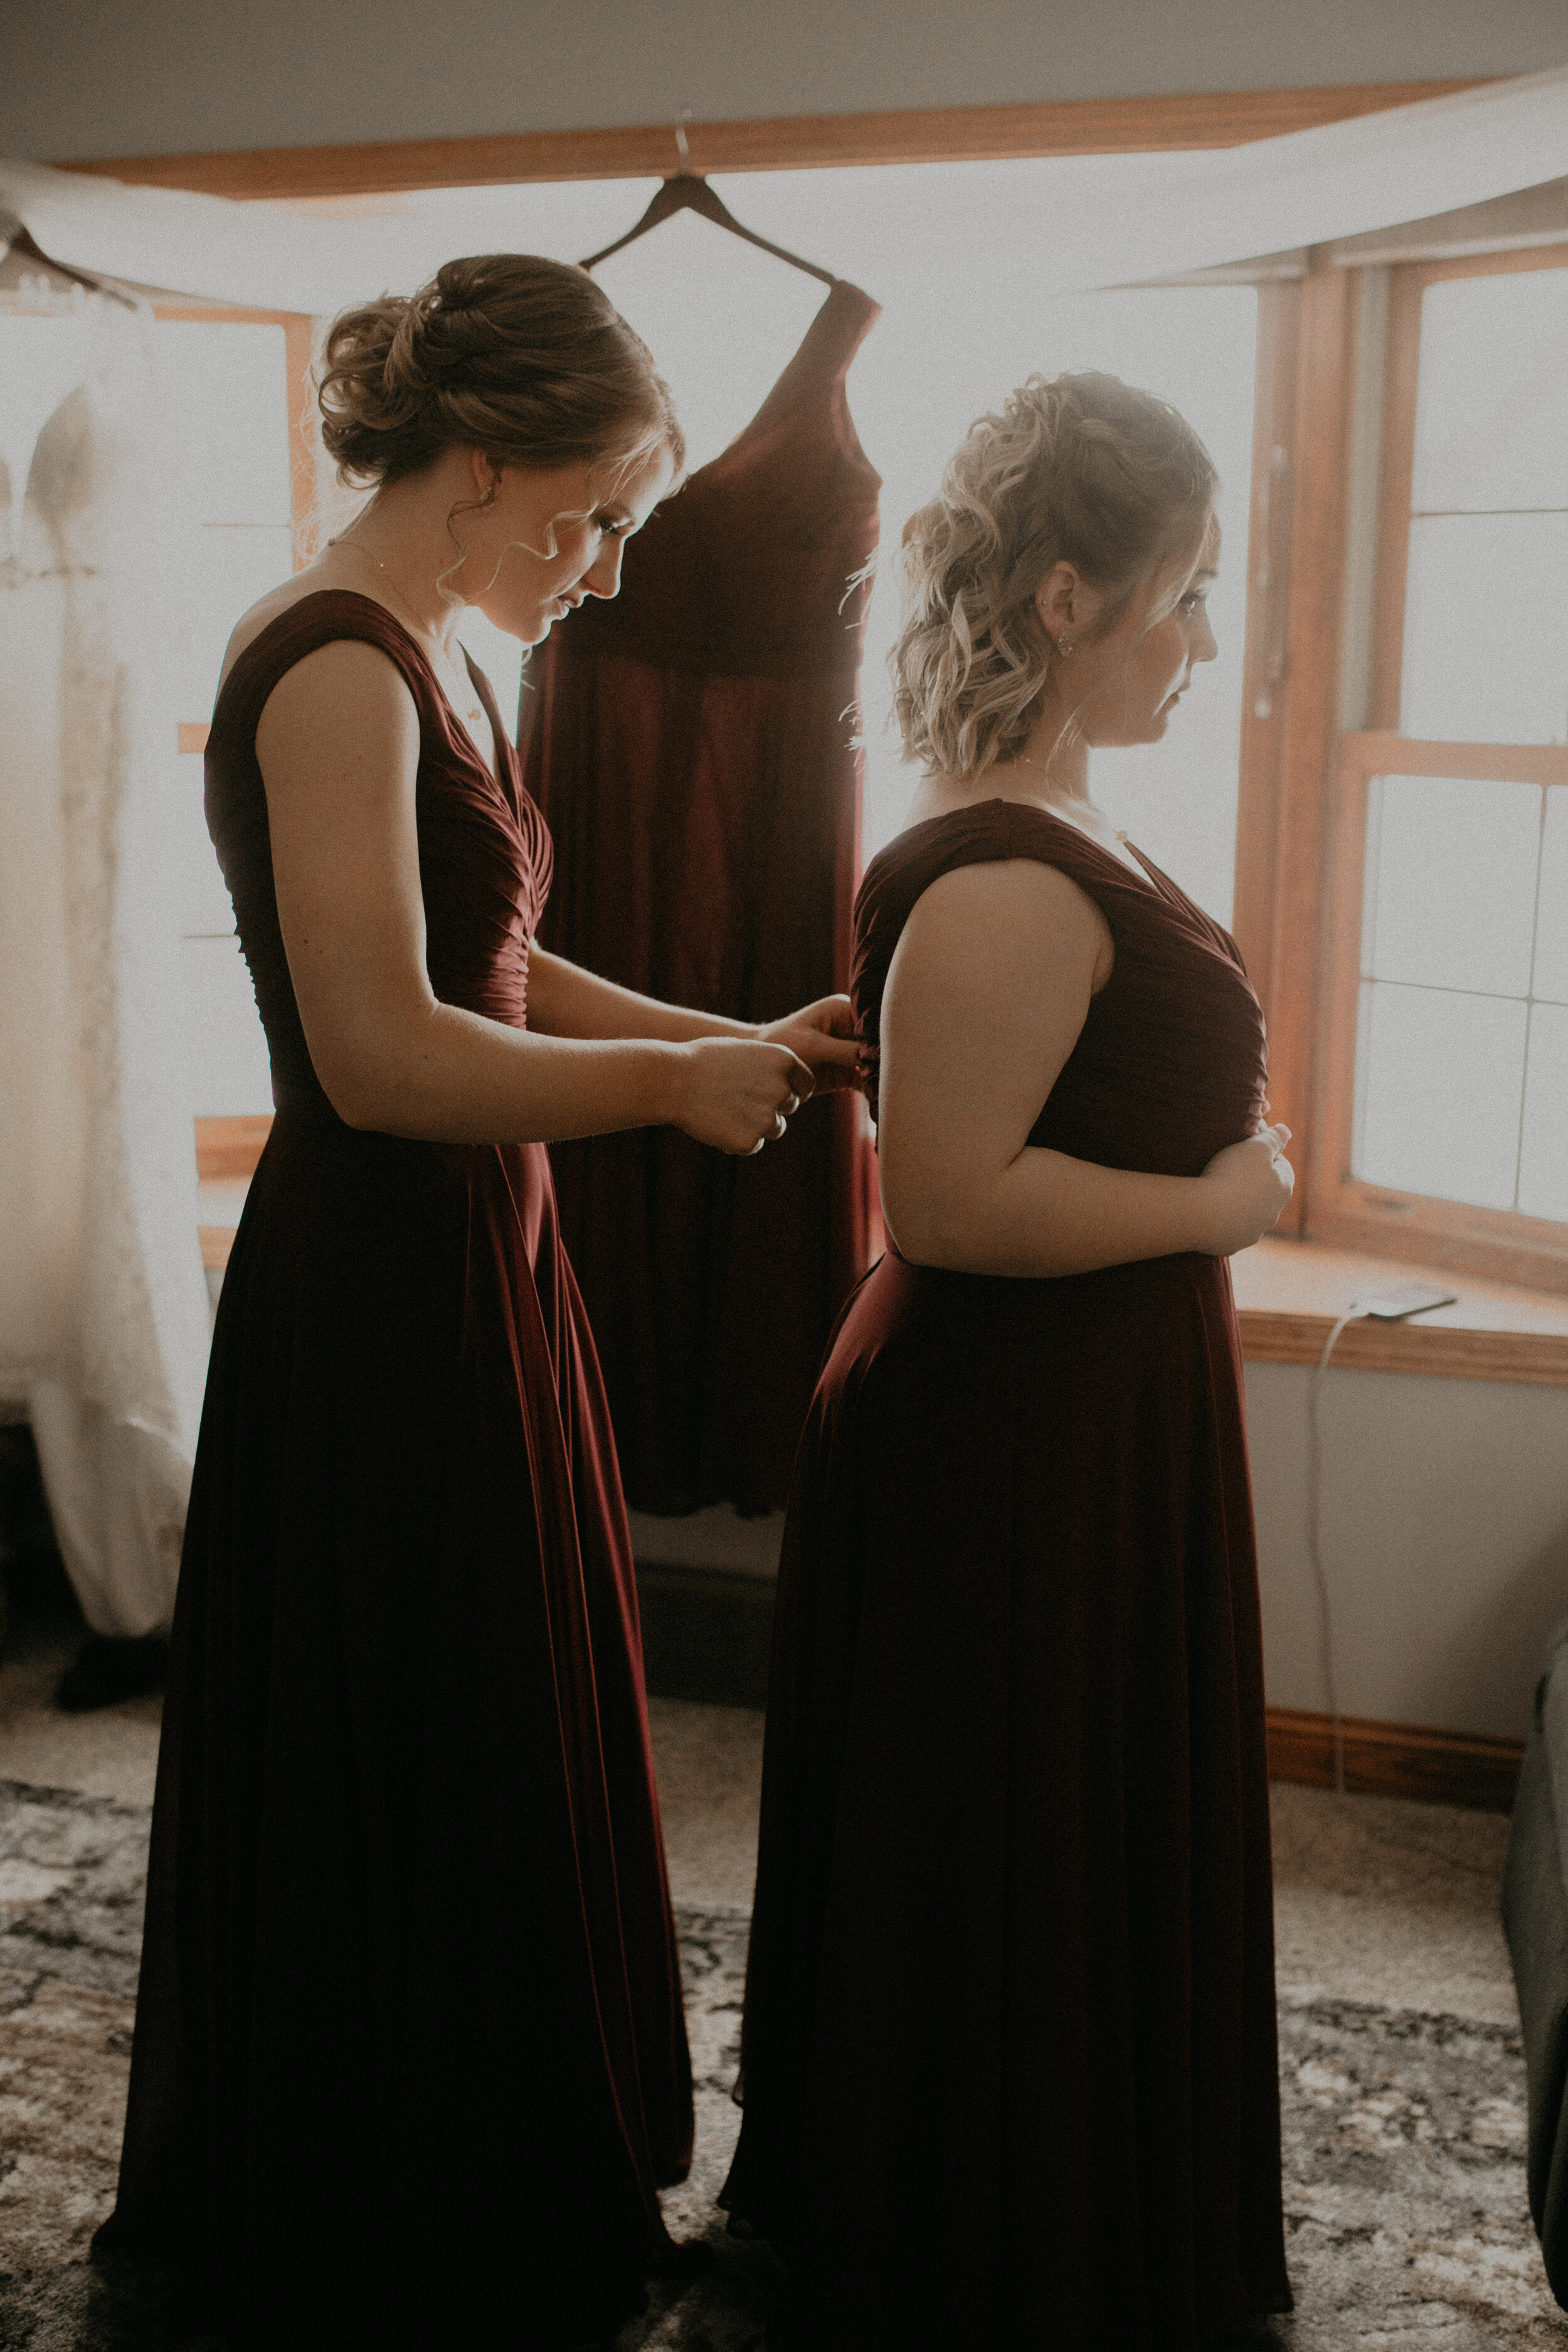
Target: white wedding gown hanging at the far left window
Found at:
x=102, y=1295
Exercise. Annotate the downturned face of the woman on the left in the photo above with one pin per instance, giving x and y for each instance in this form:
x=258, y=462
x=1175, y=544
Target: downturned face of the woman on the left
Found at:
x=551, y=540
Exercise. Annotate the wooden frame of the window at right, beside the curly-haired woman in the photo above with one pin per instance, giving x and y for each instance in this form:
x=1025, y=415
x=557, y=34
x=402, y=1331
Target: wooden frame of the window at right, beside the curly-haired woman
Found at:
x=1301, y=836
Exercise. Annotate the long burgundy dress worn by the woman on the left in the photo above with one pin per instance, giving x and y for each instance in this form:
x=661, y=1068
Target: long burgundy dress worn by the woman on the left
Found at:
x=410, y=2047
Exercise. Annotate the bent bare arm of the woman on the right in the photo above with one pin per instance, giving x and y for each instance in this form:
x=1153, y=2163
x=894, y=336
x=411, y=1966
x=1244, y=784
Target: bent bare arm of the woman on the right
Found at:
x=986, y=998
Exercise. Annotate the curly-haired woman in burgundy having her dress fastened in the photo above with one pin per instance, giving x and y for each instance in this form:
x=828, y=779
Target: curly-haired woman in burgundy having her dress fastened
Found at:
x=1010, y=2052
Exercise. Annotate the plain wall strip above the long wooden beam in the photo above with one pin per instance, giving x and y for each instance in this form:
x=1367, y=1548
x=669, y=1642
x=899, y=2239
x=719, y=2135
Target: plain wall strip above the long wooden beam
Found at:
x=86, y=79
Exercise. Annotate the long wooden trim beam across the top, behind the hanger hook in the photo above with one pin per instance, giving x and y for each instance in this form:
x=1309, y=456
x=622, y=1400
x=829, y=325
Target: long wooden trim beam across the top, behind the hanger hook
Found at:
x=782, y=145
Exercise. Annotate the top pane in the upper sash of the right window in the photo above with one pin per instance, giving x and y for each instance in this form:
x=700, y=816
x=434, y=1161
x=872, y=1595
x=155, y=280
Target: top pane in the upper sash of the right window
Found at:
x=1492, y=413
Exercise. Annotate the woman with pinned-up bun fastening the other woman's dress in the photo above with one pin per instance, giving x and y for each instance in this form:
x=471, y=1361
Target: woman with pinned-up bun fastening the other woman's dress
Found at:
x=410, y=2054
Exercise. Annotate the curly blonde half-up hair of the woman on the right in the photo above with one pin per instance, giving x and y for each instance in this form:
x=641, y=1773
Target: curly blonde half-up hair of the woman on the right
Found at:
x=1076, y=469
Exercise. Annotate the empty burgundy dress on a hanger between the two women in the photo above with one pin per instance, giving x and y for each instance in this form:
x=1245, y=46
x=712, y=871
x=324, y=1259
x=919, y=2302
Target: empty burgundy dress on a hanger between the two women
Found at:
x=692, y=747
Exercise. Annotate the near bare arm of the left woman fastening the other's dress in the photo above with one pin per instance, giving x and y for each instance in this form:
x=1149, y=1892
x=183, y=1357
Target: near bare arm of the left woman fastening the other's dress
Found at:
x=340, y=754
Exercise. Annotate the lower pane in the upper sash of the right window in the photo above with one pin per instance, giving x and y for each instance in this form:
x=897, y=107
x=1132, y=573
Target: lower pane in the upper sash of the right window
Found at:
x=1487, y=629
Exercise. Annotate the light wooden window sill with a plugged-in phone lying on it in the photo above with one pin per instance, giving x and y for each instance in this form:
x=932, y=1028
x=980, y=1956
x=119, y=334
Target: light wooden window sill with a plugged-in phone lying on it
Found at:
x=1289, y=1295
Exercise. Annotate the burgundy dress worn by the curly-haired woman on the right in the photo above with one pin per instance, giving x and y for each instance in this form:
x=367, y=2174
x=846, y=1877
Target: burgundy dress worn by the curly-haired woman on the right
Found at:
x=1010, y=2054
